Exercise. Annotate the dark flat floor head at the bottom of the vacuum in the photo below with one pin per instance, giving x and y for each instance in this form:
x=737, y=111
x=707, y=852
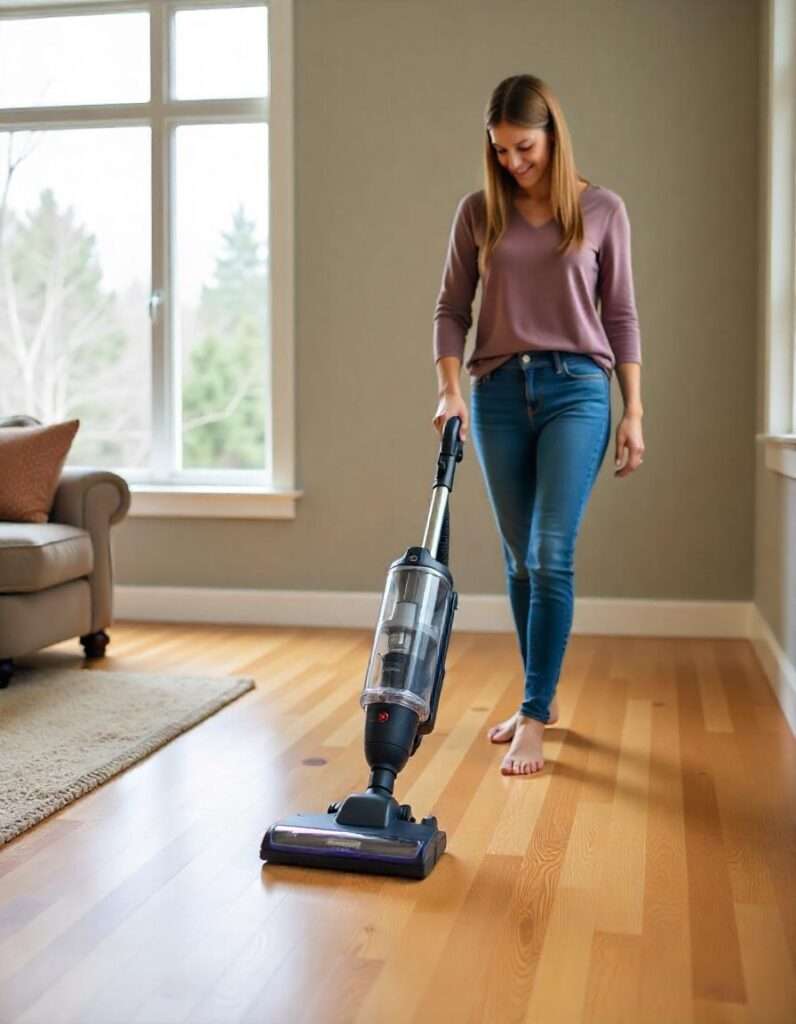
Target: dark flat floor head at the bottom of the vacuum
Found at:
x=407, y=848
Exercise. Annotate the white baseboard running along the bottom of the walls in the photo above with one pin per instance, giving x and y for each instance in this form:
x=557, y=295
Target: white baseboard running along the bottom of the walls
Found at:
x=477, y=613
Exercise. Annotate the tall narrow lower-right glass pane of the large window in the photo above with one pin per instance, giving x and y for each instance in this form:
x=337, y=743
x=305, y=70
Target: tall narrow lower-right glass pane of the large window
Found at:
x=222, y=274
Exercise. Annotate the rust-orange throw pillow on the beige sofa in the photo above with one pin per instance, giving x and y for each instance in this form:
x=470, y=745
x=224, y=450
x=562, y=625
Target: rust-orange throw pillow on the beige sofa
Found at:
x=31, y=460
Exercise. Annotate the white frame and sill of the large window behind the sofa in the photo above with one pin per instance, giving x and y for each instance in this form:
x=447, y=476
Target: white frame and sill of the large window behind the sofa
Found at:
x=158, y=492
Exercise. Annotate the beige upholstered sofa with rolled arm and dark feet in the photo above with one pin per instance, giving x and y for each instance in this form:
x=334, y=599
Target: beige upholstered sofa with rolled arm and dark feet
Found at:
x=57, y=577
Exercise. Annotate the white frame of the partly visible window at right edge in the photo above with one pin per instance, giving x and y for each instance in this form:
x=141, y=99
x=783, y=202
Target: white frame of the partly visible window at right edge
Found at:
x=779, y=178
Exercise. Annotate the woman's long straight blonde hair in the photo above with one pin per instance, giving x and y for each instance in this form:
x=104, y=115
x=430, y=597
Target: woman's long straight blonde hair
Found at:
x=529, y=103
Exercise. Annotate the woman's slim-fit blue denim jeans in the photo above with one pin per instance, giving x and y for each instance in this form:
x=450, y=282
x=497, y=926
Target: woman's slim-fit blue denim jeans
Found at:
x=541, y=425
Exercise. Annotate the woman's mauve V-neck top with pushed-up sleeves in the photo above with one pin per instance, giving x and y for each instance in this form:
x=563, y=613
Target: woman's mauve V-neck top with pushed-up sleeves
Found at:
x=534, y=300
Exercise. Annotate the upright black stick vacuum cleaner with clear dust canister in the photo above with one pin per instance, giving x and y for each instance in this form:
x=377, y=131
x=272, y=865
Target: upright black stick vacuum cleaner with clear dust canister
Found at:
x=370, y=832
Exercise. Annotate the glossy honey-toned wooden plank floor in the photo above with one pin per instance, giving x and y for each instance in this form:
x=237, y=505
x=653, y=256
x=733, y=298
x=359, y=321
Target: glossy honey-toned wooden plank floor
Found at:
x=648, y=875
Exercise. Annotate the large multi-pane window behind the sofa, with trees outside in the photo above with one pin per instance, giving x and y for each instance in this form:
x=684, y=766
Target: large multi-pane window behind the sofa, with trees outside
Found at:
x=144, y=231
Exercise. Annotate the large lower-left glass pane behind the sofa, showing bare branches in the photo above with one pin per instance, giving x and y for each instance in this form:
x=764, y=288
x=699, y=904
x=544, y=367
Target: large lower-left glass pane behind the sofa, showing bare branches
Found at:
x=75, y=279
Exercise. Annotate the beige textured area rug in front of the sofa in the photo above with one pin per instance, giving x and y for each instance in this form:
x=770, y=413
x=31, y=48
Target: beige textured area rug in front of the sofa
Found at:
x=66, y=732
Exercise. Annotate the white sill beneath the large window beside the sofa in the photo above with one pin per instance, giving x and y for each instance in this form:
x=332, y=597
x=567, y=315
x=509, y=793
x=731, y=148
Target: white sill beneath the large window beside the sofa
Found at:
x=204, y=502
